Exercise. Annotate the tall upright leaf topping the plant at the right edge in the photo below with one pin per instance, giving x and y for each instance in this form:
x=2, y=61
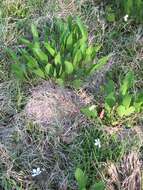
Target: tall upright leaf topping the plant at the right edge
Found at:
x=127, y=83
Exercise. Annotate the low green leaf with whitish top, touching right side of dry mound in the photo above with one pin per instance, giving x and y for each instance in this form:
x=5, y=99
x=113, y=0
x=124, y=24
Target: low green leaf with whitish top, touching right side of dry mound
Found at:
x=90, y=111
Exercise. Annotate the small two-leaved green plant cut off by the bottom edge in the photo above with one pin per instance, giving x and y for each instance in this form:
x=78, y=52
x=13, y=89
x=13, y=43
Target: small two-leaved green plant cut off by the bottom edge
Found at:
x=81, y=179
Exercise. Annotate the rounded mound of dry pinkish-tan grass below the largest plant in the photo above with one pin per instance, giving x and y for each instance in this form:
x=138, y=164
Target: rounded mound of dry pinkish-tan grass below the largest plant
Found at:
x=53, y=105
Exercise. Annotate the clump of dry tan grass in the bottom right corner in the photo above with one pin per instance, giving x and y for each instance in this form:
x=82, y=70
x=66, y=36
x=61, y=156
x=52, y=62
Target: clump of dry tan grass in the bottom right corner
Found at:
x=126, y=175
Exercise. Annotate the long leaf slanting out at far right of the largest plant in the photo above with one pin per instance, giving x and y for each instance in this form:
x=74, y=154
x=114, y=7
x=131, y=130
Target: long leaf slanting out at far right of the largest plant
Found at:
x=101, y=62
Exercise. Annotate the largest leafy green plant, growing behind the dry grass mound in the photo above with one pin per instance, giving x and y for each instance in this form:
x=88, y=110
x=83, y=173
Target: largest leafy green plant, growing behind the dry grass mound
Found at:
x=65, y=54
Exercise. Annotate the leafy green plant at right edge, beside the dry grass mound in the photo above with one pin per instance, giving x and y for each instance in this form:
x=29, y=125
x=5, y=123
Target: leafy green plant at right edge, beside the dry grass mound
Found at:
x=118, y=105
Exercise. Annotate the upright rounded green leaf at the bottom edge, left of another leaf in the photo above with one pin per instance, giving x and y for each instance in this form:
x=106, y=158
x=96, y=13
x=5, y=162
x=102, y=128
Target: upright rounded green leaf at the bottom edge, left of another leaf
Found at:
x=81, y=179
